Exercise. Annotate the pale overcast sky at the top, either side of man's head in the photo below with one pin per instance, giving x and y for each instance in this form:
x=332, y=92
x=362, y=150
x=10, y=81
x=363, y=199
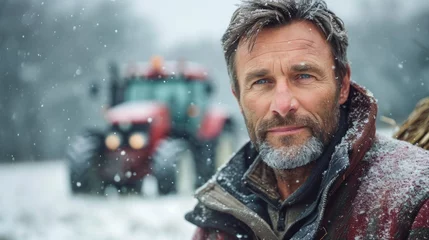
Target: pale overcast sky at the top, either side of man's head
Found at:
x=184, y=20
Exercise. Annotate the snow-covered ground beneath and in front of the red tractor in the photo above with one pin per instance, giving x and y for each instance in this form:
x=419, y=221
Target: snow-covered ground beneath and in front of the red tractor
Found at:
x=35, y=204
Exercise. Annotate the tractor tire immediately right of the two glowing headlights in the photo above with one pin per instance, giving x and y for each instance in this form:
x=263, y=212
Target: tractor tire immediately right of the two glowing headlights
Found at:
x=165, y=162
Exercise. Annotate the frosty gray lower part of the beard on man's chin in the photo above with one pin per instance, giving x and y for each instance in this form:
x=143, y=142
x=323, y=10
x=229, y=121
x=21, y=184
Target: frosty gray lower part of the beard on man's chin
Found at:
x=290, y=157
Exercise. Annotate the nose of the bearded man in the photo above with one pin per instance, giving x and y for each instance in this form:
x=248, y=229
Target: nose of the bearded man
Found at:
x=283, y=101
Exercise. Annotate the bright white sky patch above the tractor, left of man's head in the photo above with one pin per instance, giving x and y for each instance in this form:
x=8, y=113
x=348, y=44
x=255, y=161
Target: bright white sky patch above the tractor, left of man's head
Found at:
x=185, y=20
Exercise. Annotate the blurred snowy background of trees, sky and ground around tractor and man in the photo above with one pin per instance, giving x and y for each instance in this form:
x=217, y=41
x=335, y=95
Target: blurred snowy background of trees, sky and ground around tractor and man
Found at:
x=53, y=51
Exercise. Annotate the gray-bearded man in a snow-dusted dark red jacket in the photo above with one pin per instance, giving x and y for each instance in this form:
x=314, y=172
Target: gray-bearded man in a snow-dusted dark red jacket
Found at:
x=314, y=167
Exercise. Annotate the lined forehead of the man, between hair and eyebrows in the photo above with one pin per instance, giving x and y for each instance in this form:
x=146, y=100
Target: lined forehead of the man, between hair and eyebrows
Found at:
x=297, y=38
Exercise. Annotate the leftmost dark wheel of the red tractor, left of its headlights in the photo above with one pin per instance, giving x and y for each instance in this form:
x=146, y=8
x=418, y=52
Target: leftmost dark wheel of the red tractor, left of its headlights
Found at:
x=83, y=155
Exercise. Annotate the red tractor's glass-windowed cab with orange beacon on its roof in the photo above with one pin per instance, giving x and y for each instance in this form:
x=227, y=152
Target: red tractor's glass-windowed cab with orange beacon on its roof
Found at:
x=182, y=86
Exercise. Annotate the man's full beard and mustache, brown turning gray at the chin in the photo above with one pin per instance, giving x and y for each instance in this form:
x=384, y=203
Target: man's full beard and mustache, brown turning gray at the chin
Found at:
x=291, y=154
